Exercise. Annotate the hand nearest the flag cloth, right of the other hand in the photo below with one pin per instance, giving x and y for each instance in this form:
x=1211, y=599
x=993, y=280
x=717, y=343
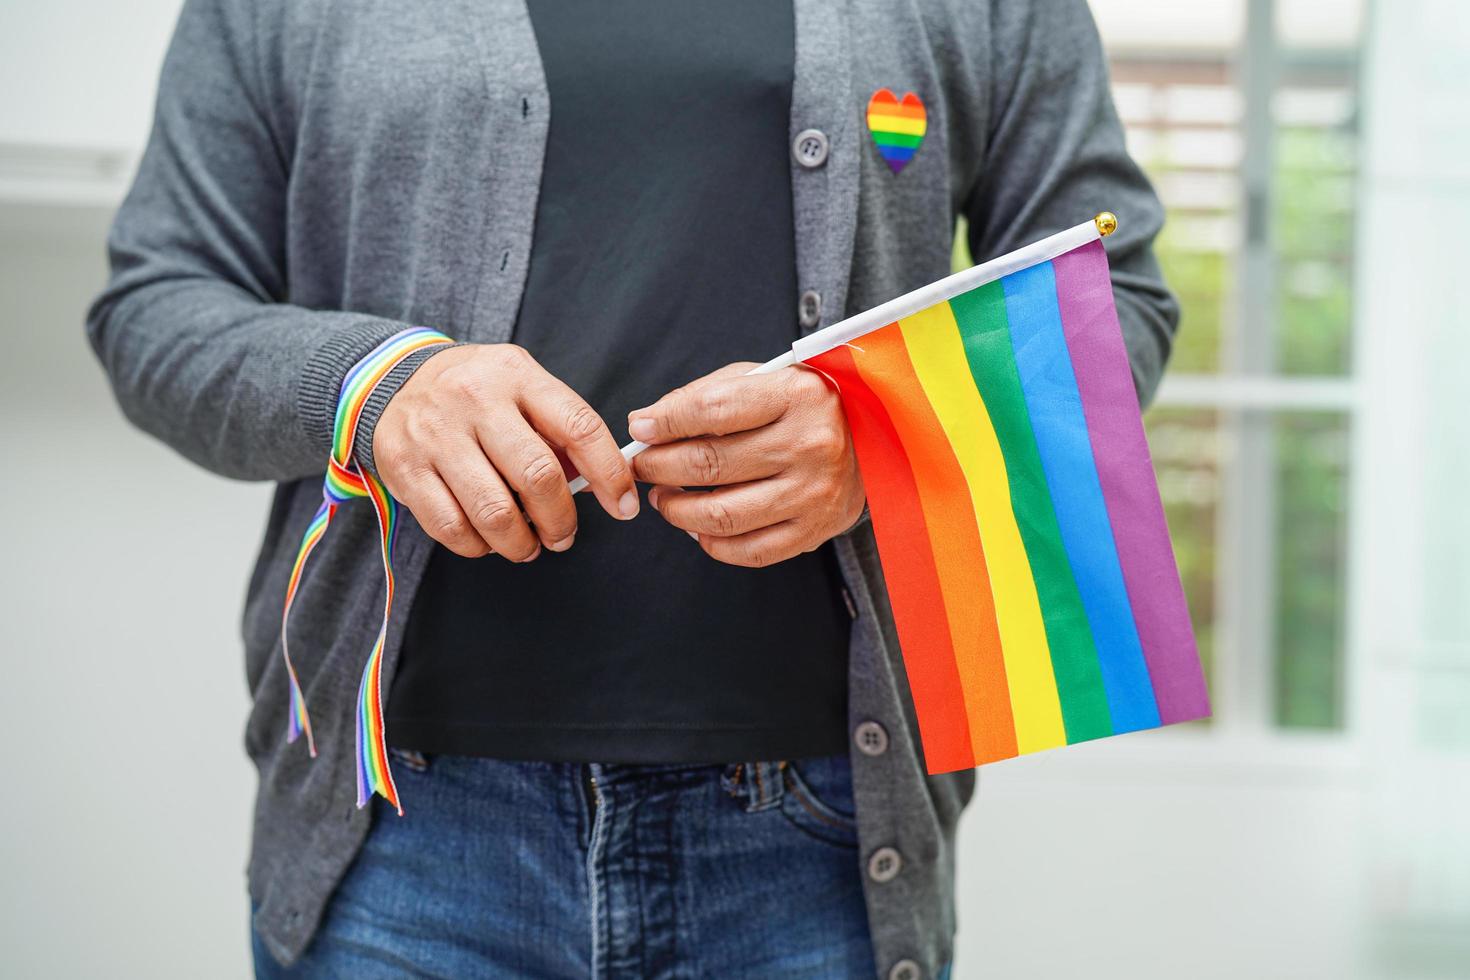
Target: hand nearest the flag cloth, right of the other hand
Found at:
x=777, y=452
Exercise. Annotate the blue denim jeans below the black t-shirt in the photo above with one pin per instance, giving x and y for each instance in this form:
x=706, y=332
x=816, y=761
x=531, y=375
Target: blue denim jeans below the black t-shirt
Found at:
x=642, y=872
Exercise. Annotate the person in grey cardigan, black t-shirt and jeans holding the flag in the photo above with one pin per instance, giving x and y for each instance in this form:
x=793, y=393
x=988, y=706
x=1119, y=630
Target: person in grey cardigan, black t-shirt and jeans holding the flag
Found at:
x=630, y=740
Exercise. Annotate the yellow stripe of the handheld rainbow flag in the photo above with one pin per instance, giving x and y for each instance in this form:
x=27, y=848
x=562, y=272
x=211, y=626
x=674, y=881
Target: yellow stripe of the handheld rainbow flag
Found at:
x=939, y=358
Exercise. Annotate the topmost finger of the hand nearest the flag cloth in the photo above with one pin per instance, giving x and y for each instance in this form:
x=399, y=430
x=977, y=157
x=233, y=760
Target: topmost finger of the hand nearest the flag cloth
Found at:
x=718, y=406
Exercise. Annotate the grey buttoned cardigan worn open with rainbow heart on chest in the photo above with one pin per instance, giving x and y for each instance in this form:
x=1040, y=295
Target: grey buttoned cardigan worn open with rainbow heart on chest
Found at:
x=323, y=174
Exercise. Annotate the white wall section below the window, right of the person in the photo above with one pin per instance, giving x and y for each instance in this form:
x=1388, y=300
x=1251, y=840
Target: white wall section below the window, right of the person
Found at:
x=1194, y=860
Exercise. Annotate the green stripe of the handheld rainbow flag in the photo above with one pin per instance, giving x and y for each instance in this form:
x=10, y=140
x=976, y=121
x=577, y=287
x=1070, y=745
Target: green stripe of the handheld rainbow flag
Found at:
x=981, y=315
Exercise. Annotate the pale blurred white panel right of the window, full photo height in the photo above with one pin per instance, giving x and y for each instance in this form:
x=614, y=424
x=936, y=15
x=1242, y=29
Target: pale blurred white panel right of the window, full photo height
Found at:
x=1413, y=602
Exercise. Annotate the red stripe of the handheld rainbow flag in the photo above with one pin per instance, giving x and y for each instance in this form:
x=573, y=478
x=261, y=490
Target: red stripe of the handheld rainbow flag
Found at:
x=909, y=566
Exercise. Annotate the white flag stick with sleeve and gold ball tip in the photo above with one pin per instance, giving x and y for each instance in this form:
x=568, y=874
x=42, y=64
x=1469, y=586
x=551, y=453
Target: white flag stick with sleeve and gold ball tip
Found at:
x=921, y=299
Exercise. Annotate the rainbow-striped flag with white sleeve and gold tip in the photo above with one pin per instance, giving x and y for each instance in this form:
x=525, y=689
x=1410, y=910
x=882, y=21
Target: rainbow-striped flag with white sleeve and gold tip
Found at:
x=1015, y=506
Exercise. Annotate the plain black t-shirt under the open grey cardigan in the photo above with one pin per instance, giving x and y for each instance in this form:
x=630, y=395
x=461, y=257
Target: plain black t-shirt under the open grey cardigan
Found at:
x=664, y=249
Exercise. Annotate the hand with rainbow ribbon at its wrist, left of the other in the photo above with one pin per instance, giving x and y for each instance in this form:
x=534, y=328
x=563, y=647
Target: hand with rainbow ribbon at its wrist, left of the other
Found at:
x=477, y=422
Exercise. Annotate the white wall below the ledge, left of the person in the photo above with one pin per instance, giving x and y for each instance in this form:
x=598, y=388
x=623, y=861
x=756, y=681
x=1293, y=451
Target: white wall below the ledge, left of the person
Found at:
x=127, y=794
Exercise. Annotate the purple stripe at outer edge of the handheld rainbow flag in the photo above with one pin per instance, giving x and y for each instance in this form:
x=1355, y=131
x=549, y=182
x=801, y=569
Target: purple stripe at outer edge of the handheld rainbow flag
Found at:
x=1130, y=489
